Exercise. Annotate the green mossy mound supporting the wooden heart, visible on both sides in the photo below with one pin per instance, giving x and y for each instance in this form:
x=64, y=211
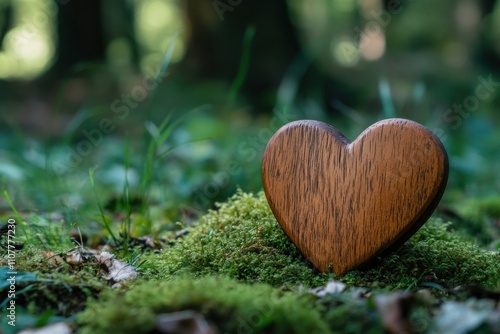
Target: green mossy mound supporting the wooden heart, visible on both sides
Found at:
x=242, y=240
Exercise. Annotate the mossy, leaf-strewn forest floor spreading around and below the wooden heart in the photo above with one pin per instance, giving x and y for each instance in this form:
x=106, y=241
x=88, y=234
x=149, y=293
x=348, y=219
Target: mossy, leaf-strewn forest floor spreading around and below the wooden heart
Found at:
x=233, y=270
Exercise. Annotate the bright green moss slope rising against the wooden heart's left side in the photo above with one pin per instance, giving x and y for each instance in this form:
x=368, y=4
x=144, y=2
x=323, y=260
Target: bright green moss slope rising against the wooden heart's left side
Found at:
x=242, y=240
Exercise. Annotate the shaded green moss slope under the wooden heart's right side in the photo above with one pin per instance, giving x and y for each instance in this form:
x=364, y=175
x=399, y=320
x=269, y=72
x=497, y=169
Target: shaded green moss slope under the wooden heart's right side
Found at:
x=433, y=254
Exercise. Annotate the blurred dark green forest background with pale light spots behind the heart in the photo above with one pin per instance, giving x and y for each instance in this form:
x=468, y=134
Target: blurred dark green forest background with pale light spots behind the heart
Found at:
x=82, y=86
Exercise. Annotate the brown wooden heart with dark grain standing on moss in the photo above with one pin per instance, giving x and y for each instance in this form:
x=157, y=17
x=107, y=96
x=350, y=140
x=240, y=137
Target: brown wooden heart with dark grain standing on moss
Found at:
x=341, y=203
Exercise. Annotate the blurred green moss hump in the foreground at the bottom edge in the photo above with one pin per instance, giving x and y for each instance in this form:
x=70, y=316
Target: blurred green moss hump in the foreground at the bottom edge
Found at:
x=233, y=307
